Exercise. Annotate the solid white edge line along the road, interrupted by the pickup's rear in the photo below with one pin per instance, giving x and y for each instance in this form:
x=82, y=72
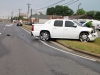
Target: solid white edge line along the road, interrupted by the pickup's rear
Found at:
x=62, y=50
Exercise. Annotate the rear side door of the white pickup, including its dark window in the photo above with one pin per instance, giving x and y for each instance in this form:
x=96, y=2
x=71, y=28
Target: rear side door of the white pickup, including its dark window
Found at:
x=58, y=29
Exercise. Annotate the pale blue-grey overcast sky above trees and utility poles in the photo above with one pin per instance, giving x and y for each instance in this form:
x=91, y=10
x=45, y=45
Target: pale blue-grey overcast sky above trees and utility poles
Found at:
x=9, y=6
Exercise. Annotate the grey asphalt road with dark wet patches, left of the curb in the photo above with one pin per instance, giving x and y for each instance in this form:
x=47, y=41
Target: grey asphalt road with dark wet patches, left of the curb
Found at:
x=21, y=54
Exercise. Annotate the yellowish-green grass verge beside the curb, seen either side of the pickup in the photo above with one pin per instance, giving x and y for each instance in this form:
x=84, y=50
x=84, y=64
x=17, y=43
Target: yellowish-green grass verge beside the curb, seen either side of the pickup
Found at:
x=93, y=47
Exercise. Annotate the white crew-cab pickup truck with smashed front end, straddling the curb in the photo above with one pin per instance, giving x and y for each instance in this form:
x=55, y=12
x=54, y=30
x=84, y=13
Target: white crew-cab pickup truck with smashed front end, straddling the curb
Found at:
x=64, y=29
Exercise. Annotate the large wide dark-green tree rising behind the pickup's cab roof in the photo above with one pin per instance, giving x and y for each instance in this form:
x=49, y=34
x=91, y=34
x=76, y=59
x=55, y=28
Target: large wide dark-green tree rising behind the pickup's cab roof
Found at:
x=60, y=10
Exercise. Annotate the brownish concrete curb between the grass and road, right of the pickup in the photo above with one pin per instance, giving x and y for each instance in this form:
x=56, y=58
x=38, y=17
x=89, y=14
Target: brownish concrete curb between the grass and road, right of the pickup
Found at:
x=79, y=50
